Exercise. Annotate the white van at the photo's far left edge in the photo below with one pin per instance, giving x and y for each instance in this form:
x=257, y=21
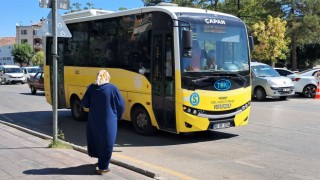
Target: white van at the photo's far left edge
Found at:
x=11, y=74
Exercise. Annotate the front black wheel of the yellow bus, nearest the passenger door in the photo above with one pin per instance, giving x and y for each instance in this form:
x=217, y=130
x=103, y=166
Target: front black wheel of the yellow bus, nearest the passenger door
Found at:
x=141, y=122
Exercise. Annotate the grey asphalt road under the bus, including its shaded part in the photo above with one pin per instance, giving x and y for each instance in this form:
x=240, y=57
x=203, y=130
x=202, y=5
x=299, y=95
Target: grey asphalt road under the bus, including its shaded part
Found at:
x=281, y=140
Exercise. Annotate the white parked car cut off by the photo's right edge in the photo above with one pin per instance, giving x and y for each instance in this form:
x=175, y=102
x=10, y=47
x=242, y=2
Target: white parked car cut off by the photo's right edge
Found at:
x=304, y=82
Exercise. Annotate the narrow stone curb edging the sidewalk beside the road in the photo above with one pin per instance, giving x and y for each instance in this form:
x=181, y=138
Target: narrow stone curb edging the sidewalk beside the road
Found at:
x=81, y=149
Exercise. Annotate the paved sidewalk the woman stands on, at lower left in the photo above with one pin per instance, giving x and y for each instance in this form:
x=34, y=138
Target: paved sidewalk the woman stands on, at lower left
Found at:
x=25, y=156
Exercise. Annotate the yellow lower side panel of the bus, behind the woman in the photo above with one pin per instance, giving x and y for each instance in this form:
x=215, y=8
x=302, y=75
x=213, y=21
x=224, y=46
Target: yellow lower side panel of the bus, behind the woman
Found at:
x=134, y=87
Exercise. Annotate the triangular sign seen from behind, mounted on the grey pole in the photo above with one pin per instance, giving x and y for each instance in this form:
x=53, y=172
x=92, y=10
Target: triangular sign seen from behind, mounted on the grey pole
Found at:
x=46, y=28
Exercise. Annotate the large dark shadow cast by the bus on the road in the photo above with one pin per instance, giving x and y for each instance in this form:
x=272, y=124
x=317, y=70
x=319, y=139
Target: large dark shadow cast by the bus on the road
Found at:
x=75, y=131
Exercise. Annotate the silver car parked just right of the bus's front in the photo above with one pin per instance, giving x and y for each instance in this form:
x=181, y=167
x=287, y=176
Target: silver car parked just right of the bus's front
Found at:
x=267, y=83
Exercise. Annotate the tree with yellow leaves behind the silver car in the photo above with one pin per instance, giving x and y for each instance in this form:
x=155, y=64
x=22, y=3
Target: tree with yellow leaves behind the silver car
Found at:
x=272, y=42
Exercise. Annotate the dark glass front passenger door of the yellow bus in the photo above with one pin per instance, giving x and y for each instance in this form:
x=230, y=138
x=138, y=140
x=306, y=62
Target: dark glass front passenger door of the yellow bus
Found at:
x=162, y=75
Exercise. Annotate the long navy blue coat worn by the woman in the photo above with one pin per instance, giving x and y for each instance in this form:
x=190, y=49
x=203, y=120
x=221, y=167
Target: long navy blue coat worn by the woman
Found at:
x=106, y=107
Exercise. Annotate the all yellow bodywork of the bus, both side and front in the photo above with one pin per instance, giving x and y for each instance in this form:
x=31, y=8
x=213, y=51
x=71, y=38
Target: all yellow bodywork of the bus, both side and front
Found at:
x=136, y=90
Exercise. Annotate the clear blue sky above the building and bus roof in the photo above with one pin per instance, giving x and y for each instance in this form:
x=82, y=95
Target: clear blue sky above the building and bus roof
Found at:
x=26, y=12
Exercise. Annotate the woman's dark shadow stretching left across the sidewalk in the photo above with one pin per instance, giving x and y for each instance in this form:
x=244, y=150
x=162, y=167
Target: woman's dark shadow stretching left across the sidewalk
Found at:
x=87, y=169
